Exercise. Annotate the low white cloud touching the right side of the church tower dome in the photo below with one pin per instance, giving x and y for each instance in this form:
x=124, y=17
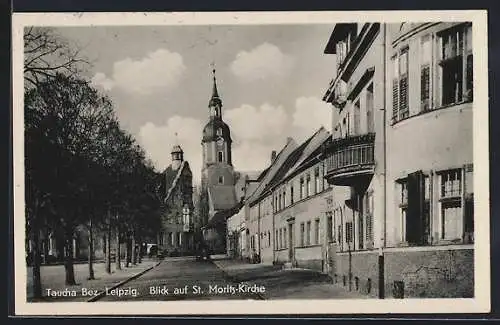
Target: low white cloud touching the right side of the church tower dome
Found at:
x=257, y=123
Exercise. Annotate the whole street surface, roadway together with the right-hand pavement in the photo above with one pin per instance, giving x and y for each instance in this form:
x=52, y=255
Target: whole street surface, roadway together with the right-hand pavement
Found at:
x=188, y=279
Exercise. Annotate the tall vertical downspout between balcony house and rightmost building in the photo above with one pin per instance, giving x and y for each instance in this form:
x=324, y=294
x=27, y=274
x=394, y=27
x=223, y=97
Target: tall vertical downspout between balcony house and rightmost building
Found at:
x=381, y=261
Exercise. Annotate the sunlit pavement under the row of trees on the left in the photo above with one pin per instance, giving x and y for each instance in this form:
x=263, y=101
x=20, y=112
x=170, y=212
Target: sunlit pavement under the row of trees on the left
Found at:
x=53, y=277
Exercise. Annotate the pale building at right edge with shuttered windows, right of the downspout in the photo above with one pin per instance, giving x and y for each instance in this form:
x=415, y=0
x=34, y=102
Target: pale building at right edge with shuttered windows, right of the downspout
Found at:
x=430, y=212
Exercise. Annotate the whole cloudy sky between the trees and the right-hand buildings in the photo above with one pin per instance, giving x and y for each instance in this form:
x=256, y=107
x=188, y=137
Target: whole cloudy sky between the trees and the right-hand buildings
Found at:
x=271, y=80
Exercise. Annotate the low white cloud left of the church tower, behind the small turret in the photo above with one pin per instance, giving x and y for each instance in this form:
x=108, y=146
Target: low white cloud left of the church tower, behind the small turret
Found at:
x=158, y=141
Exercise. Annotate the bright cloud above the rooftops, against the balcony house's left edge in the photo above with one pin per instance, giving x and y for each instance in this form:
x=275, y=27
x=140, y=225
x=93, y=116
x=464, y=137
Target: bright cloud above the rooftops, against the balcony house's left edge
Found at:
x=310, y=114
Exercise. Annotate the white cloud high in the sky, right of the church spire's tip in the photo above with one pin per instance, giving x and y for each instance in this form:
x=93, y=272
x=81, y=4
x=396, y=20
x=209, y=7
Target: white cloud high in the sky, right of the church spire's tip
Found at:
x=264, y=61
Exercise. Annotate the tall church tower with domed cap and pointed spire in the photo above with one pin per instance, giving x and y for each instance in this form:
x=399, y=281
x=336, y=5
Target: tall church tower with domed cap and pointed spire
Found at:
x=216, y=144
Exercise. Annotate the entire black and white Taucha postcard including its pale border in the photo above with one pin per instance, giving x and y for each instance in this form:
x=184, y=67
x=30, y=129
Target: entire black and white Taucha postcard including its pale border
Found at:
x=250, y=160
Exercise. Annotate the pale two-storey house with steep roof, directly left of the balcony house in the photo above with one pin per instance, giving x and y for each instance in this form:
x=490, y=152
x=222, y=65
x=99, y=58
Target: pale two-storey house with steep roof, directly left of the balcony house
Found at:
x=300, y=195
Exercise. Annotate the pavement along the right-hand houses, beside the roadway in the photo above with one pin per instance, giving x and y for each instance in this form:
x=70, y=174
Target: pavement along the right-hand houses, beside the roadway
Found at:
x=285, y=284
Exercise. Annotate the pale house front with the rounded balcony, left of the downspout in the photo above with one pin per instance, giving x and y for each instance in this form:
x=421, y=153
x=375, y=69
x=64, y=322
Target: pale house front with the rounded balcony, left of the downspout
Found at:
x=355, y=158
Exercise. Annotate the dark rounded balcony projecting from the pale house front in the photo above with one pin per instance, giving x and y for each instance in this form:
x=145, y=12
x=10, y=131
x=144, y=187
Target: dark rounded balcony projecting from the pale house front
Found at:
x=350, y=161
